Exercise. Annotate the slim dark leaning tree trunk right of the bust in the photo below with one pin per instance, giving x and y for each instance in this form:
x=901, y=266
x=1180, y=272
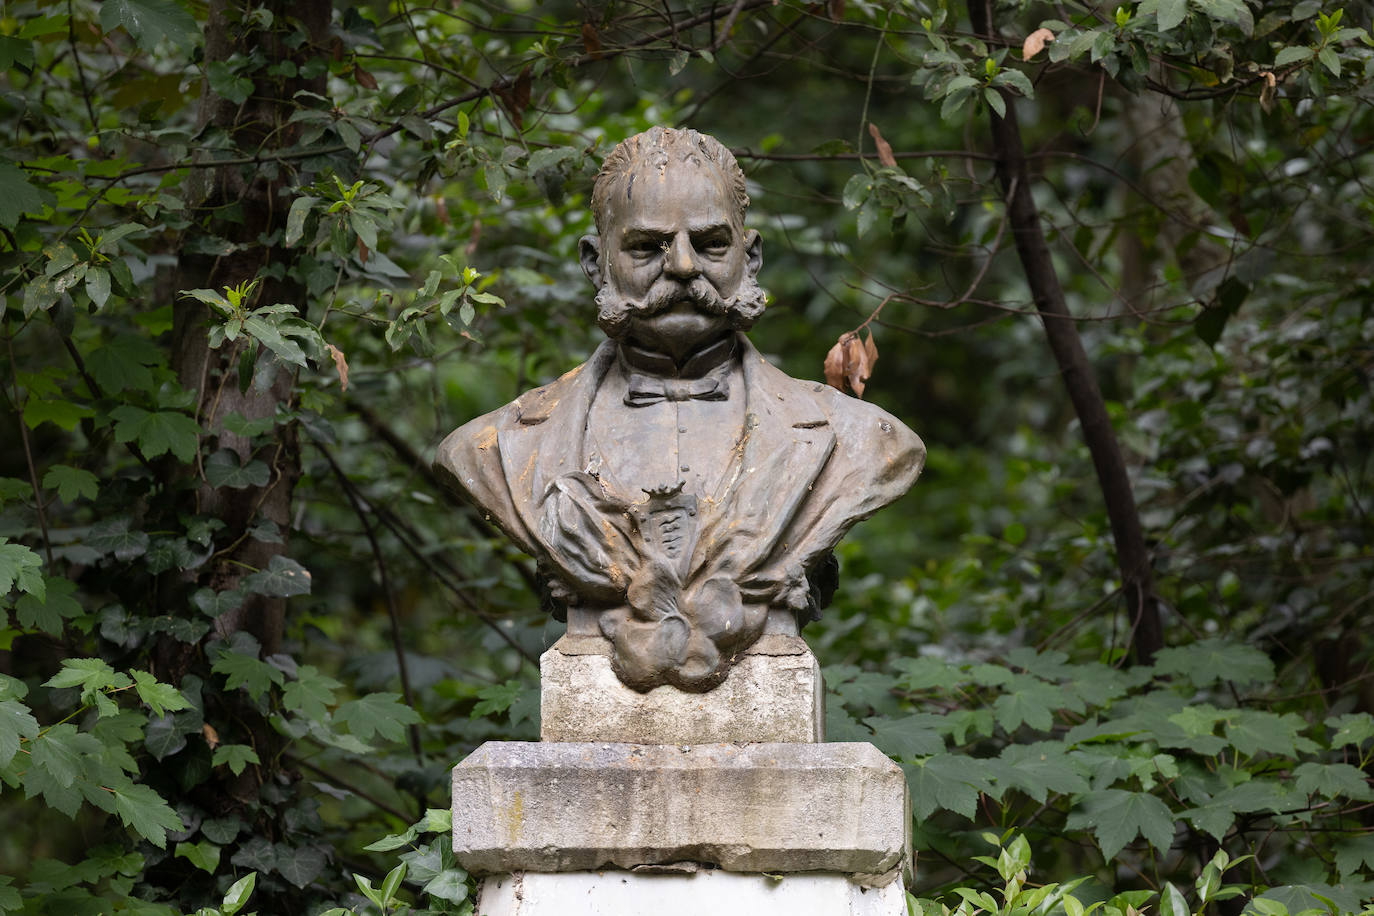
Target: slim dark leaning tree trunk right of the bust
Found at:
x=1079, y=378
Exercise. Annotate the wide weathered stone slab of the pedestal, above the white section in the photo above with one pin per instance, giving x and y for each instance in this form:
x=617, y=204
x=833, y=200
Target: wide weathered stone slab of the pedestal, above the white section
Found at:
x=524, y=807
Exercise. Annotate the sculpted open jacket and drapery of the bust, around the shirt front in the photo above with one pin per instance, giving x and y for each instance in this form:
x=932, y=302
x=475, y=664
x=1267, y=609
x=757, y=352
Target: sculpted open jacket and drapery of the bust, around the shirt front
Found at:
x=810, y=462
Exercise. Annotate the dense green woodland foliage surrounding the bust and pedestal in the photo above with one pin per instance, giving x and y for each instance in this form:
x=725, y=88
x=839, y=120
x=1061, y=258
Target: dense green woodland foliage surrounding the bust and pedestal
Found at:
x=247, y=634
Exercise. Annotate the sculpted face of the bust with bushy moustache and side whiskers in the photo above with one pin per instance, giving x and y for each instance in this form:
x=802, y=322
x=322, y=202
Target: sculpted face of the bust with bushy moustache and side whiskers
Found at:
x=675, y=270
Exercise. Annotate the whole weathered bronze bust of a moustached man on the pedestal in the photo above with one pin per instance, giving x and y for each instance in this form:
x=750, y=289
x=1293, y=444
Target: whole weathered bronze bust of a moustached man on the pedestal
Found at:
x=681, y=494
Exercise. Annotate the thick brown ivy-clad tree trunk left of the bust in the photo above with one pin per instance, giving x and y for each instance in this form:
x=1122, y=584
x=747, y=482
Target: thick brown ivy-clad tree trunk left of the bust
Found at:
x=245, y=205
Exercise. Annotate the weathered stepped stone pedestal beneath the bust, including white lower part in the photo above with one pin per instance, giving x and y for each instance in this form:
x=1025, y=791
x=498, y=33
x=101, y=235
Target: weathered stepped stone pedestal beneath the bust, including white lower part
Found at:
x=681, y=804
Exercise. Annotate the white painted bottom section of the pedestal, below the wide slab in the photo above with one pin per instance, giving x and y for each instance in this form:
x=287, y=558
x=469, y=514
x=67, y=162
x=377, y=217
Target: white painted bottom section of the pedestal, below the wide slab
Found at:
x=707, y=893
